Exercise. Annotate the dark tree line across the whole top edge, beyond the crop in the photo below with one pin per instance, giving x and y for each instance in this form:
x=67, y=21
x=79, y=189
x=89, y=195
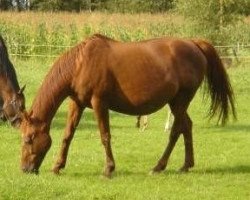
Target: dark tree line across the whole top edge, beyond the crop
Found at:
x=121, y=6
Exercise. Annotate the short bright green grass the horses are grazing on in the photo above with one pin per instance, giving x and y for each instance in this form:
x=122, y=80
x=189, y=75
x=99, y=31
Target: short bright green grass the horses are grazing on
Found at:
x=222, y=154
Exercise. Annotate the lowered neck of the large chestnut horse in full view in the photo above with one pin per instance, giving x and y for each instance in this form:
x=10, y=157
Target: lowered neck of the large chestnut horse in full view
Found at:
x=50, y=96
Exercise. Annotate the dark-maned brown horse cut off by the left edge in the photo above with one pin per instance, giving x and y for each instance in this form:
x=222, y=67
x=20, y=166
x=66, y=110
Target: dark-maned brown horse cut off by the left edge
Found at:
x=12, y=101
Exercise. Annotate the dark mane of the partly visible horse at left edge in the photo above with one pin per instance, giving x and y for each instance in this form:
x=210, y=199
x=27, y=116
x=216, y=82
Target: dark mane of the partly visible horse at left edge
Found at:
x=6, y=67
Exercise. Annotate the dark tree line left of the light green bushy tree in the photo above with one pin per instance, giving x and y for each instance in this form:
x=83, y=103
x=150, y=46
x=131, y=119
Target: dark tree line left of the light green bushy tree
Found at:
x=134, y=6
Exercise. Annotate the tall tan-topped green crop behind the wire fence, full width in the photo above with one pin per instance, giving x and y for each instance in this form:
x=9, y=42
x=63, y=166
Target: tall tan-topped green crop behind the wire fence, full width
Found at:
x=55, y=32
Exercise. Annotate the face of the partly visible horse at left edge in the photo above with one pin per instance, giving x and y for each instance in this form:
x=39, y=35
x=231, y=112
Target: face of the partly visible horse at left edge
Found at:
x=12, y=109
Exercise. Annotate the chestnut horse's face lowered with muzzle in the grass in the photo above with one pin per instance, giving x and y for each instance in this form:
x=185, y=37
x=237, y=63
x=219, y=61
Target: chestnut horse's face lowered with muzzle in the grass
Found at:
x=35, y=144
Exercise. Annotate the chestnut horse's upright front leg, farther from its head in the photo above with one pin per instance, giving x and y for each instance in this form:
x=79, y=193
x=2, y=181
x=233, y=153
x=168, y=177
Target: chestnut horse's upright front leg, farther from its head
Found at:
x=102, y=116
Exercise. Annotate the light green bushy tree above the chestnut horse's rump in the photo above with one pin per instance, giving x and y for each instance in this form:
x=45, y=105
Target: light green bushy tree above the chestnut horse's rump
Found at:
x=211, y=18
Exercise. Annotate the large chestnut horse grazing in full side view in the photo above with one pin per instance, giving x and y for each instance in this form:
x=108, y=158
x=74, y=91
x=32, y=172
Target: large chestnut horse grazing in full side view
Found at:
x=136, y=78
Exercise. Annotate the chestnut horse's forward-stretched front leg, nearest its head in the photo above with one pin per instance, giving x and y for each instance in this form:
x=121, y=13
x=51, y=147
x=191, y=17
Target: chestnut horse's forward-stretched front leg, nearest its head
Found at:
x=74, y=115
